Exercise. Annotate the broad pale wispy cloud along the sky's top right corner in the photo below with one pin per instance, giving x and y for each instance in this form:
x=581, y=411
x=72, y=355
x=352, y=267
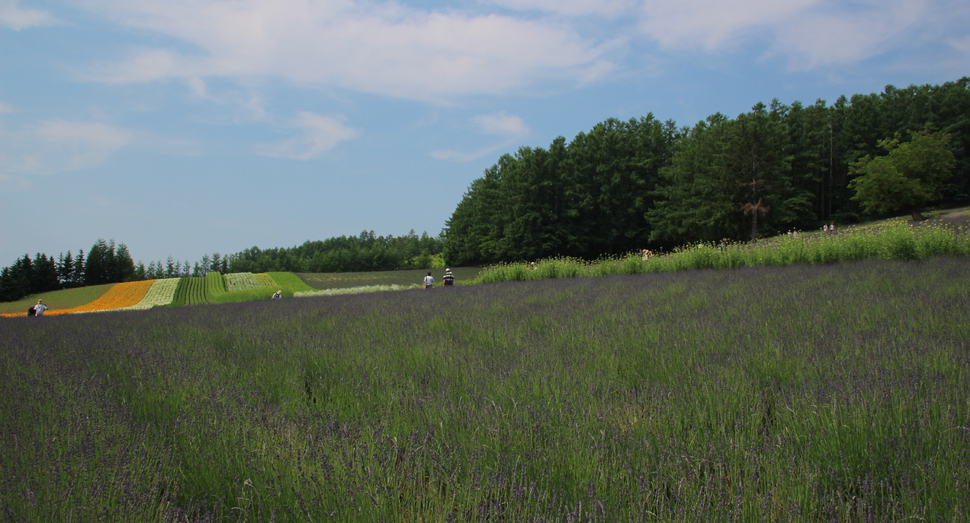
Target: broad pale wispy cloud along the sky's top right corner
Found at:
x=807, y=34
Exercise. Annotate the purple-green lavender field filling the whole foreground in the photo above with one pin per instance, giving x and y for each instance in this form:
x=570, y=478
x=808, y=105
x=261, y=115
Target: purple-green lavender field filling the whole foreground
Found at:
x=805, y=393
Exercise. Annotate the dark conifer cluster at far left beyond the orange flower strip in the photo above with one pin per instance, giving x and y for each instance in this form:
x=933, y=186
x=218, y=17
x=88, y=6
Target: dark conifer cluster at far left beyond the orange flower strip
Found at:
x=104, y=263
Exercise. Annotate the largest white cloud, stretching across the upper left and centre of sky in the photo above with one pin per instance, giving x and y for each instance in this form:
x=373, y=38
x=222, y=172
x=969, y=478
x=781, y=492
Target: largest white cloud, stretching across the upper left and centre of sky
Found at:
x=383, y=48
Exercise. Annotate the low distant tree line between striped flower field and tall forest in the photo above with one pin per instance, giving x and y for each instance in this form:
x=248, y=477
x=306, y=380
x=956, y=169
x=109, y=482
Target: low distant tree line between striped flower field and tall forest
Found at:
x=366, y=252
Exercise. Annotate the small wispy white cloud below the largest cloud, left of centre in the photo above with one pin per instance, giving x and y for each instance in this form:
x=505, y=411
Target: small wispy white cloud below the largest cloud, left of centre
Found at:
x=318, y=135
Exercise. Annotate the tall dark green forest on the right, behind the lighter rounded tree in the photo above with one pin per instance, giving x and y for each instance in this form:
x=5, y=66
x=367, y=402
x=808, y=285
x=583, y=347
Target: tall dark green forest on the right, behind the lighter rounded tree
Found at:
x=630, y=185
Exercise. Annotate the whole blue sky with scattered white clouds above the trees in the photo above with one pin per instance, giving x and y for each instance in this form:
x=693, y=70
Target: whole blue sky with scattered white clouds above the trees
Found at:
x=187, y=127
